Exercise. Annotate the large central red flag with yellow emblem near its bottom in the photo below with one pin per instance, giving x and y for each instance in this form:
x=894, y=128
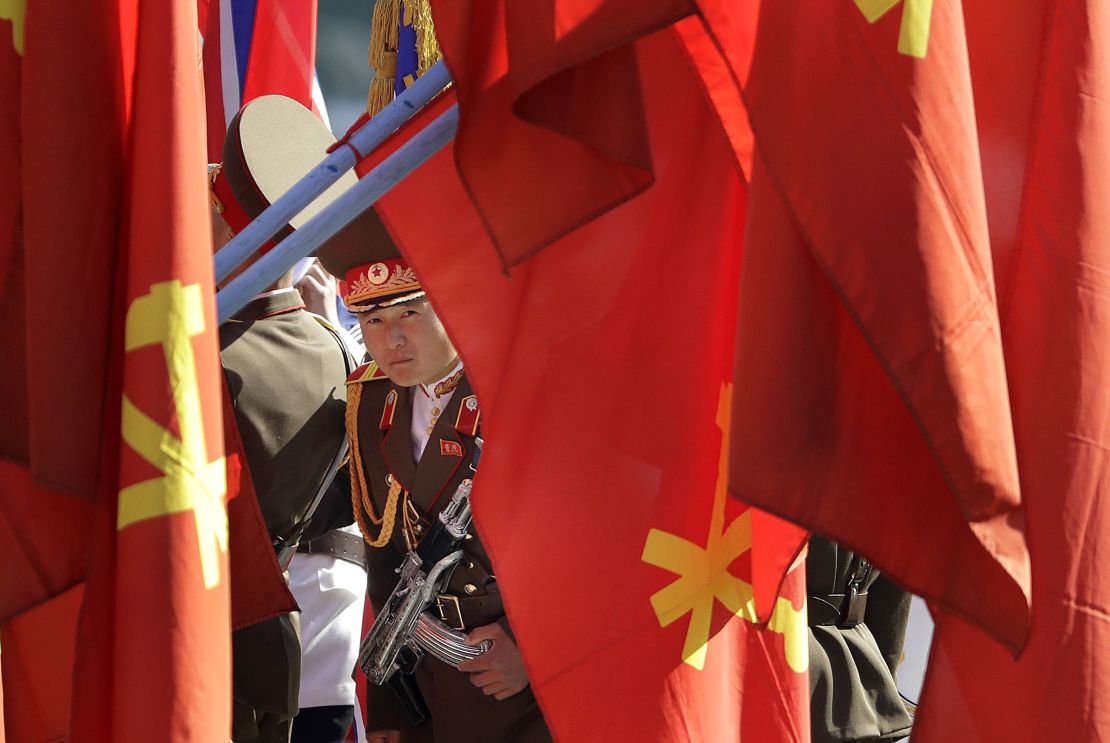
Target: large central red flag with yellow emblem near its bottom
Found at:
x=603, y=366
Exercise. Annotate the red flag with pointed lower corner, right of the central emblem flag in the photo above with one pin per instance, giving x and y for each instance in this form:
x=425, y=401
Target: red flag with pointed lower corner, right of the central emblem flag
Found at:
x=871, y=389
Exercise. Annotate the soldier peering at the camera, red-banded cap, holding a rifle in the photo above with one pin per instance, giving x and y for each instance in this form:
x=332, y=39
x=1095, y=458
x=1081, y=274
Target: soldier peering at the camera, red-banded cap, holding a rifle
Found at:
x=413, y=419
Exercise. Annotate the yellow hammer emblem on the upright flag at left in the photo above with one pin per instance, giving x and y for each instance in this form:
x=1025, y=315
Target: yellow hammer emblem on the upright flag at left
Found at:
x=170, y=316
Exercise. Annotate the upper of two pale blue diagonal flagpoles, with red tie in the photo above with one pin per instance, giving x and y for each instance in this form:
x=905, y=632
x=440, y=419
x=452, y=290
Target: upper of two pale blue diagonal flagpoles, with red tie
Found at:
x=364, y=140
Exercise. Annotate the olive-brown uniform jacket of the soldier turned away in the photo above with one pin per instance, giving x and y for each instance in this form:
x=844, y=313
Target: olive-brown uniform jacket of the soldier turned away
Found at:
x=286, y=375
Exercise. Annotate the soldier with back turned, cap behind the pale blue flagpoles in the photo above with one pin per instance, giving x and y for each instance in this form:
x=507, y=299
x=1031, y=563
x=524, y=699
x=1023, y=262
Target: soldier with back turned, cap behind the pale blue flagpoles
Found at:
x=285, y=370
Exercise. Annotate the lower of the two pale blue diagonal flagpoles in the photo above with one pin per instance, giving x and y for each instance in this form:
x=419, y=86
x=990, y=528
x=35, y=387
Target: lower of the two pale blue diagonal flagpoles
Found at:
x=338, y=215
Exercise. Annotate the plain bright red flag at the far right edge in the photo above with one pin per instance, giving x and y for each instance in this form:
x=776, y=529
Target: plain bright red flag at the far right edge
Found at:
x=1042, y=92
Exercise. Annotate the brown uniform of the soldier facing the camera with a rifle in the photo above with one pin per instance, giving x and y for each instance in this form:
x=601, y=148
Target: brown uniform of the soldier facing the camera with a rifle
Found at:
x=460, y=710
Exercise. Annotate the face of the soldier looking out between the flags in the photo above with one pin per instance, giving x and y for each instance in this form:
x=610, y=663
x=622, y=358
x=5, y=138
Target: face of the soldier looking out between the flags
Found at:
x=409, y=343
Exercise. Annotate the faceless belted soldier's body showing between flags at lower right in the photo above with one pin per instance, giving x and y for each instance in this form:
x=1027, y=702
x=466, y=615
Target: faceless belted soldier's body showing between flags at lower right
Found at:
x=857, y=627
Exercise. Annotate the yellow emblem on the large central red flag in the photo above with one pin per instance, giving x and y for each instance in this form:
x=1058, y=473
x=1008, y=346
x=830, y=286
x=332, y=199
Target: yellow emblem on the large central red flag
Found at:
x=704, y=578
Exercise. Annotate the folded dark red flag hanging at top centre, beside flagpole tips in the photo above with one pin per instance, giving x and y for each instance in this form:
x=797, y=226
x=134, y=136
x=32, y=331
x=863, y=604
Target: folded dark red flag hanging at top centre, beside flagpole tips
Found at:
x=550, y=93
